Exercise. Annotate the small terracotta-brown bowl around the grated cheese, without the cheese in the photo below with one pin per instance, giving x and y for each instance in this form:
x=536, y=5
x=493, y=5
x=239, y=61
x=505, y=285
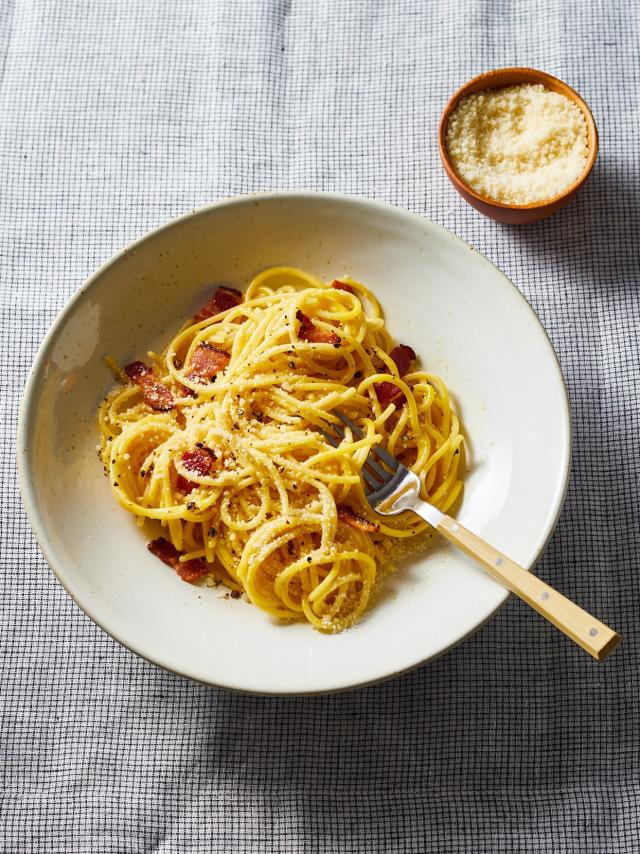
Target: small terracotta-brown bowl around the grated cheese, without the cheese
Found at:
x=516, y=214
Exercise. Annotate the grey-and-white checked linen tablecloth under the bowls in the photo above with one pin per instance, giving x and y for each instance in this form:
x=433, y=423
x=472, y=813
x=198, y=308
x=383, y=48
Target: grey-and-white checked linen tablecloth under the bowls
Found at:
x=116, y=116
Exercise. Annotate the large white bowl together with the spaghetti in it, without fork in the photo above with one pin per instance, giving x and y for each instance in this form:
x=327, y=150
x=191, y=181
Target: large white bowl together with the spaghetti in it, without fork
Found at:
x=469, y=326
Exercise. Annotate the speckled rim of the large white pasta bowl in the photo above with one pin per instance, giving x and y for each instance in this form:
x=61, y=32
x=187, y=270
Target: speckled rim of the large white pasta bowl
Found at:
x=29, y=401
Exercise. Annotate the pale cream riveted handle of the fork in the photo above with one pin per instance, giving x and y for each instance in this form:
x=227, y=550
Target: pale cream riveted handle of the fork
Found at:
x=592, y=635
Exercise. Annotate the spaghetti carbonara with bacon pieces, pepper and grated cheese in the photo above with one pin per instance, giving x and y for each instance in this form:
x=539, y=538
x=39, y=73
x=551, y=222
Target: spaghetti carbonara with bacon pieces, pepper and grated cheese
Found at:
x=218, y=439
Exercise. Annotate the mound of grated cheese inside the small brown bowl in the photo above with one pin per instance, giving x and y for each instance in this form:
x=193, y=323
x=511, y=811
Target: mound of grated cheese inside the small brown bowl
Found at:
x=519, y=144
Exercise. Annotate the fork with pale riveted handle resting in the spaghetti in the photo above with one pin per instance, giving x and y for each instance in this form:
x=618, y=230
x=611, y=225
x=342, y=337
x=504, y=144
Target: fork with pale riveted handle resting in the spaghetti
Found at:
x=391, y=488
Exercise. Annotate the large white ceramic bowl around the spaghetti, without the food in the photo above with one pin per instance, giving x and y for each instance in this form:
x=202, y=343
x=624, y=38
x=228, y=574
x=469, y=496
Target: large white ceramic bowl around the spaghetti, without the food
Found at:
x=465, y=319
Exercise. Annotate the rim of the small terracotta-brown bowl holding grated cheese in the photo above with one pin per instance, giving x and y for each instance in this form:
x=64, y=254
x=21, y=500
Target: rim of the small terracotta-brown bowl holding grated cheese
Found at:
x=493, y=81
